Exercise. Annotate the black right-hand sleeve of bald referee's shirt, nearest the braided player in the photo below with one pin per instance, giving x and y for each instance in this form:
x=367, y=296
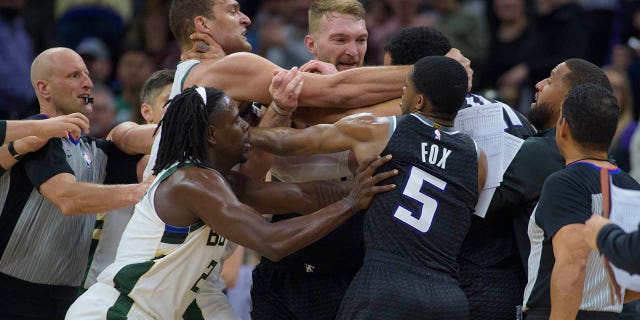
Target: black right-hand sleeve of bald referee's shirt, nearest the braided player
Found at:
x=121, y=167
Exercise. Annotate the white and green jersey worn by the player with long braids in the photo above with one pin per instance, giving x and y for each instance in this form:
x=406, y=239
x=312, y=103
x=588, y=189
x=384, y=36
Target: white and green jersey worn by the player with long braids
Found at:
x=158, y=271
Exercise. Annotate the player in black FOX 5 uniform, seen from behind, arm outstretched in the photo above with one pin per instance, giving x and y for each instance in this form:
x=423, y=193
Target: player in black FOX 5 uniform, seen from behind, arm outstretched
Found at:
x=417, y=250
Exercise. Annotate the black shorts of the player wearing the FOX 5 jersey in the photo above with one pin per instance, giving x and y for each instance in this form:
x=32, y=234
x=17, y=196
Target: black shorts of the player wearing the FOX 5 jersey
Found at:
x=389, y=287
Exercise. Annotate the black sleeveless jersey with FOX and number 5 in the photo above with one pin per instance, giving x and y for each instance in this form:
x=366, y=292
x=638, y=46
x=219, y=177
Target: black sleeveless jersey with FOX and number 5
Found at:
x=426, y=217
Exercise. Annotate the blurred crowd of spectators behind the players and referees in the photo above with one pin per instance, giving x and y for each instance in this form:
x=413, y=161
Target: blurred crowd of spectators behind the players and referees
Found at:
x=511, y=43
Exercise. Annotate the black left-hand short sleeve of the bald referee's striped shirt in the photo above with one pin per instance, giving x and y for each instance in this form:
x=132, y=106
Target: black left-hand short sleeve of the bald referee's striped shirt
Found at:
x=47, y=162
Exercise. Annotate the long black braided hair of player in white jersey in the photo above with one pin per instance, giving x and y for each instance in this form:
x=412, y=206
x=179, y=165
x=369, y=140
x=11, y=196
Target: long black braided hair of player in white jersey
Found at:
x=184, y=127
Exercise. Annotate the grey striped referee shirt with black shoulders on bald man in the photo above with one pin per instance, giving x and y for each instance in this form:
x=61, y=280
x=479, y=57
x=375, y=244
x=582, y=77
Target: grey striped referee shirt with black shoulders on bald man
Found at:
x=37, y=242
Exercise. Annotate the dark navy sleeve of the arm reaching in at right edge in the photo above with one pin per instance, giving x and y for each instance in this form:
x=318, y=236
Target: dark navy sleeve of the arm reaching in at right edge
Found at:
x=621, y=248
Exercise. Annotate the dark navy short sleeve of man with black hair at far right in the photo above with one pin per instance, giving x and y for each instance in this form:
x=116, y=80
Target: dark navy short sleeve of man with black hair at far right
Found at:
x=562, y=202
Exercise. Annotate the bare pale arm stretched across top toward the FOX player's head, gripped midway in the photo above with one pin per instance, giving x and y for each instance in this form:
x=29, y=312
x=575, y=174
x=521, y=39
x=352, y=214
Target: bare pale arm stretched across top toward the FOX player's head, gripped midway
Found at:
x=246, y=77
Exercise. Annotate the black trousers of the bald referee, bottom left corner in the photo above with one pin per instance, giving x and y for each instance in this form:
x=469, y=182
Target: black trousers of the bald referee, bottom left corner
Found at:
x=23, y=300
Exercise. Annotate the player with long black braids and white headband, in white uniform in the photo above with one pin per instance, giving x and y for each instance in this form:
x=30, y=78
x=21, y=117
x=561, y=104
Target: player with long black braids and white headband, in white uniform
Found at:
x=183, y=228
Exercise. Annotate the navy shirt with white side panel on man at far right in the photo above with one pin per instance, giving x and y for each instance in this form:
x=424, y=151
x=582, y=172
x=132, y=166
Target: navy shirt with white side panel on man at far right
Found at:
x=569, y=196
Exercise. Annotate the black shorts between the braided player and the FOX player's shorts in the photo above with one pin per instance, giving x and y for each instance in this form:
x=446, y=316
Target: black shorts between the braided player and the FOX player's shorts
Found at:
x=287, y=294
